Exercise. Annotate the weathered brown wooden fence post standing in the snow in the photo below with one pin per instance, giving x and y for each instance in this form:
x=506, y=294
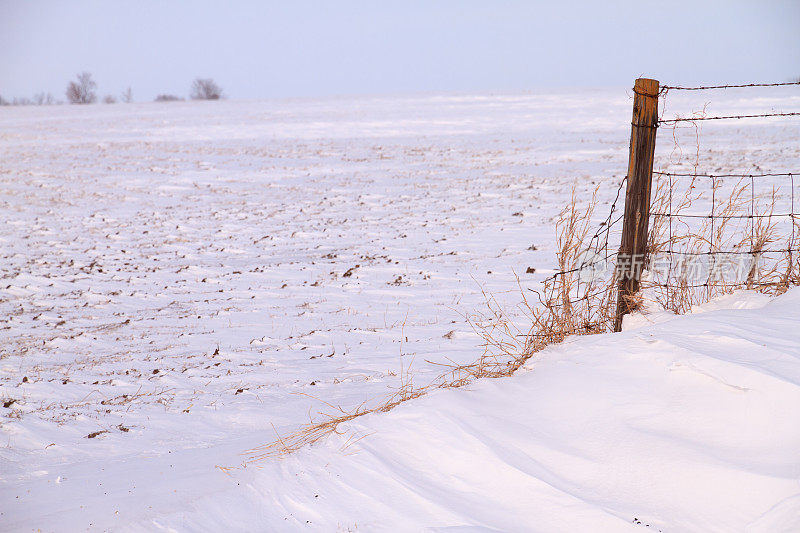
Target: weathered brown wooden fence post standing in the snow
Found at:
x=633, y=245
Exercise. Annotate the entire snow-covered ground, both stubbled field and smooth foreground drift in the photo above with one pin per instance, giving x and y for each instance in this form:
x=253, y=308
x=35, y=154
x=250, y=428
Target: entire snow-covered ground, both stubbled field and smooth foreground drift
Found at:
x=179, y=282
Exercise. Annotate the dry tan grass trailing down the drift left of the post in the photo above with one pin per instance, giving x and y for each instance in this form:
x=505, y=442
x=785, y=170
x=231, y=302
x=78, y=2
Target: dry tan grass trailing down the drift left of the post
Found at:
x=566, y=305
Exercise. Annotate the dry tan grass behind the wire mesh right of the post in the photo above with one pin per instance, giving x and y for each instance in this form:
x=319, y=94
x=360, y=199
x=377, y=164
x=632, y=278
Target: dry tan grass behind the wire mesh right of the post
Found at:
x=740, y=243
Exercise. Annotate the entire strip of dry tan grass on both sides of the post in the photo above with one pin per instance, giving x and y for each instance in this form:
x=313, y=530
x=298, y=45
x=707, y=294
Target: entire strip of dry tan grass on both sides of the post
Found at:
x=570, y=303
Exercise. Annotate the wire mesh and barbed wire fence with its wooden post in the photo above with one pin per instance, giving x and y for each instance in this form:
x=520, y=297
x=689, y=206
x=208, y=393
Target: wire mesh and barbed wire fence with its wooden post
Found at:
x=686, y=235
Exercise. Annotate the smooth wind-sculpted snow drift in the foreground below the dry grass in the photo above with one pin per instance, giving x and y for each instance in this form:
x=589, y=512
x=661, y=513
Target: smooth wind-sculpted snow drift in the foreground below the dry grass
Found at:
x=689, y=424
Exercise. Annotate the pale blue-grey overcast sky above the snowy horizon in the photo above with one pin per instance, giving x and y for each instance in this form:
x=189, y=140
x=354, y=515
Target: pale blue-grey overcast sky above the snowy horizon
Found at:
x=305, y=48
